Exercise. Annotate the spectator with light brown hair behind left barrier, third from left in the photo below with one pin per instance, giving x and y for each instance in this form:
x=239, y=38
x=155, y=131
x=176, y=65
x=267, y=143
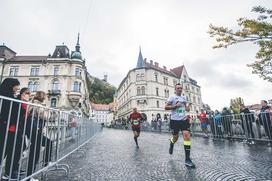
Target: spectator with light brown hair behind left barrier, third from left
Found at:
x=35, y=125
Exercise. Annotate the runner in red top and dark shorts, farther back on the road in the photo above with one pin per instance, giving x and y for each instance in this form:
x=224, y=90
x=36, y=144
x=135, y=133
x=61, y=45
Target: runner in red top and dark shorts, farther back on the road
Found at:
x=135, y=121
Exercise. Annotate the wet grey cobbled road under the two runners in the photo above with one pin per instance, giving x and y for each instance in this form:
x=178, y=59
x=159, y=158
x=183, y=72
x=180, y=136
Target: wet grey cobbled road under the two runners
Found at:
x=112, y=155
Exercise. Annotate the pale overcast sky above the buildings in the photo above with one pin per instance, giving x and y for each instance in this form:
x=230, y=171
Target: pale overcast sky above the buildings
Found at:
x=170, y=32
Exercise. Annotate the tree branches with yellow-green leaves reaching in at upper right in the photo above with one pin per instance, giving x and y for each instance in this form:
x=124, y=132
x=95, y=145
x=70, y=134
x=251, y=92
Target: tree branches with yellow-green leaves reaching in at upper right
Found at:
x=258, y=31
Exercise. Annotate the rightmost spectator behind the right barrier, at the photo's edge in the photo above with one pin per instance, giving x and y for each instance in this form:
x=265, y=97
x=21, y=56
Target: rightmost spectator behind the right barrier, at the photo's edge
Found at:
x=264, y=119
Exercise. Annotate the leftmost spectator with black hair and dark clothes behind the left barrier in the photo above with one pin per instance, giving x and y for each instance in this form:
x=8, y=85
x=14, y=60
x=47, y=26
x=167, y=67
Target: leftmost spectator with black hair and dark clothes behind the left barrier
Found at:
x=9, y=126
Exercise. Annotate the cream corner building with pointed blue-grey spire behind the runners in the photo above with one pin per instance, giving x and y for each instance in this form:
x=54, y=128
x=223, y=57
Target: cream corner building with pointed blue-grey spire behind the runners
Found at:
x=148, y=87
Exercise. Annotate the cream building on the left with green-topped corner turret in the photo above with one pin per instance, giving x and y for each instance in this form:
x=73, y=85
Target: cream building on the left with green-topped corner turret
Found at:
x=61, y=75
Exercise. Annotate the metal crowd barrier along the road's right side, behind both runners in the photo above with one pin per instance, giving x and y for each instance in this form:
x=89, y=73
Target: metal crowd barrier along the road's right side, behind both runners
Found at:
x=247, y=127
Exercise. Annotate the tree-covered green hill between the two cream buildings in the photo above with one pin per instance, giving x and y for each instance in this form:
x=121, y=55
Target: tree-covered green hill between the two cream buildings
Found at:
x=100, y=91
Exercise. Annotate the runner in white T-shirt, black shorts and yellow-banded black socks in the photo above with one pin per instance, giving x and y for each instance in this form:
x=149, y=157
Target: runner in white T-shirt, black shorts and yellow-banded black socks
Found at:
x=179, y=122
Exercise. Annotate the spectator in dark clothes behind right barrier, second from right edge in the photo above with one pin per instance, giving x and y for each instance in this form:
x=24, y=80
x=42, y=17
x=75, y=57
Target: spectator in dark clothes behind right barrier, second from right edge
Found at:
x=247, y=118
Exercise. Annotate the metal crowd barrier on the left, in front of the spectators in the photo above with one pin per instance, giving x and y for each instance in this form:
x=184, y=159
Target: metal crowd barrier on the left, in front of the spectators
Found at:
x=34, y=139
